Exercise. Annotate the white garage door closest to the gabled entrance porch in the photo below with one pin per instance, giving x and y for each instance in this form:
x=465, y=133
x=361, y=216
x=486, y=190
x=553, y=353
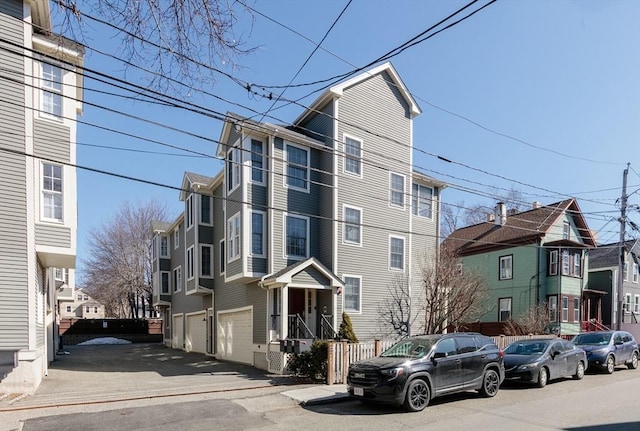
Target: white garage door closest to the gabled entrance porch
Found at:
x=235, y=336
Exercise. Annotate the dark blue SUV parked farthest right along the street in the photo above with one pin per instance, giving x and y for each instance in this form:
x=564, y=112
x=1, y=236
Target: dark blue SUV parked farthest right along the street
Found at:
x=606, y=349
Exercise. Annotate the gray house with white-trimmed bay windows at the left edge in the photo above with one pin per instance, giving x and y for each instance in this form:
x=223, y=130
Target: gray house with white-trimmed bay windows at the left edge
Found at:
x=40, y=91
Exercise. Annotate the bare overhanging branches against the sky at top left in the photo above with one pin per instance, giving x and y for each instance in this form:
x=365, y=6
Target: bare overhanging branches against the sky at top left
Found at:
x=173, y=38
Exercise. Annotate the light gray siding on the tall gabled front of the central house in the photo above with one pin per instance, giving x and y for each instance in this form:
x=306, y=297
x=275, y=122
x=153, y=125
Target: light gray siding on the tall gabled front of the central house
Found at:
x=377, y=107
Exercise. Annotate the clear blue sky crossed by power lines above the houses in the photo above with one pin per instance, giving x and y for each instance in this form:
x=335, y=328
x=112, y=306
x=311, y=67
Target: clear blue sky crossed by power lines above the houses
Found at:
x=542, y=96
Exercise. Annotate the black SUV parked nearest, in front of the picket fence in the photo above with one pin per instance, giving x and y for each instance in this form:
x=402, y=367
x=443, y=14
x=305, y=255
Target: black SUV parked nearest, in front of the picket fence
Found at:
x=416, y=369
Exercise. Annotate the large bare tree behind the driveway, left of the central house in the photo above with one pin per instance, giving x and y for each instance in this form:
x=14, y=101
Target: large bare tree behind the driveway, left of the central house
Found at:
x=119, y=265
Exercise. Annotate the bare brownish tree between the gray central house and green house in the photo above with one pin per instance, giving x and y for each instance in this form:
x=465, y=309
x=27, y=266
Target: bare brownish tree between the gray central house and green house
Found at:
x=454, y=295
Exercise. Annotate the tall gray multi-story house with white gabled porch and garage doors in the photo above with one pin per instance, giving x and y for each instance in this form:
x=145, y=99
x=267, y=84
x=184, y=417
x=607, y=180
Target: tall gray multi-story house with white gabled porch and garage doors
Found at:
x=304, y=222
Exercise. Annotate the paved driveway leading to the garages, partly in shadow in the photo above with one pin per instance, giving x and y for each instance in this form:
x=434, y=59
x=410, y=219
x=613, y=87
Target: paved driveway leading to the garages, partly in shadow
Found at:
x=110, y=373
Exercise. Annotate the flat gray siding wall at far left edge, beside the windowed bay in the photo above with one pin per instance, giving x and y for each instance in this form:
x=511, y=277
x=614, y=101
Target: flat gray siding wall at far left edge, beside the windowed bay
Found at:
x=13, y=208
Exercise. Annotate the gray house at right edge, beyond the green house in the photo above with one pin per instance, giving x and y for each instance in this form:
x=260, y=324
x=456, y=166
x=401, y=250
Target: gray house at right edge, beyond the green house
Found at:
x=604, y=274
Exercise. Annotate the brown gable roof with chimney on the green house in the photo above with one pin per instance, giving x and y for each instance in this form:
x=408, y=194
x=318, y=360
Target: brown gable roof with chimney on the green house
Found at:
x=519, y=229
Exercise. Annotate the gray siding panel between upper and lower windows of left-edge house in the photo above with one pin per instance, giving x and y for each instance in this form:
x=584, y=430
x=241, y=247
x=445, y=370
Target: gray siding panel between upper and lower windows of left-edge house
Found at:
x=51, y=140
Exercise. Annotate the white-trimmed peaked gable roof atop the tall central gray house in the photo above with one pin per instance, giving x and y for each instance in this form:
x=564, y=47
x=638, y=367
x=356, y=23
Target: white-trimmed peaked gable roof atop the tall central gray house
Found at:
x=338, y=89
